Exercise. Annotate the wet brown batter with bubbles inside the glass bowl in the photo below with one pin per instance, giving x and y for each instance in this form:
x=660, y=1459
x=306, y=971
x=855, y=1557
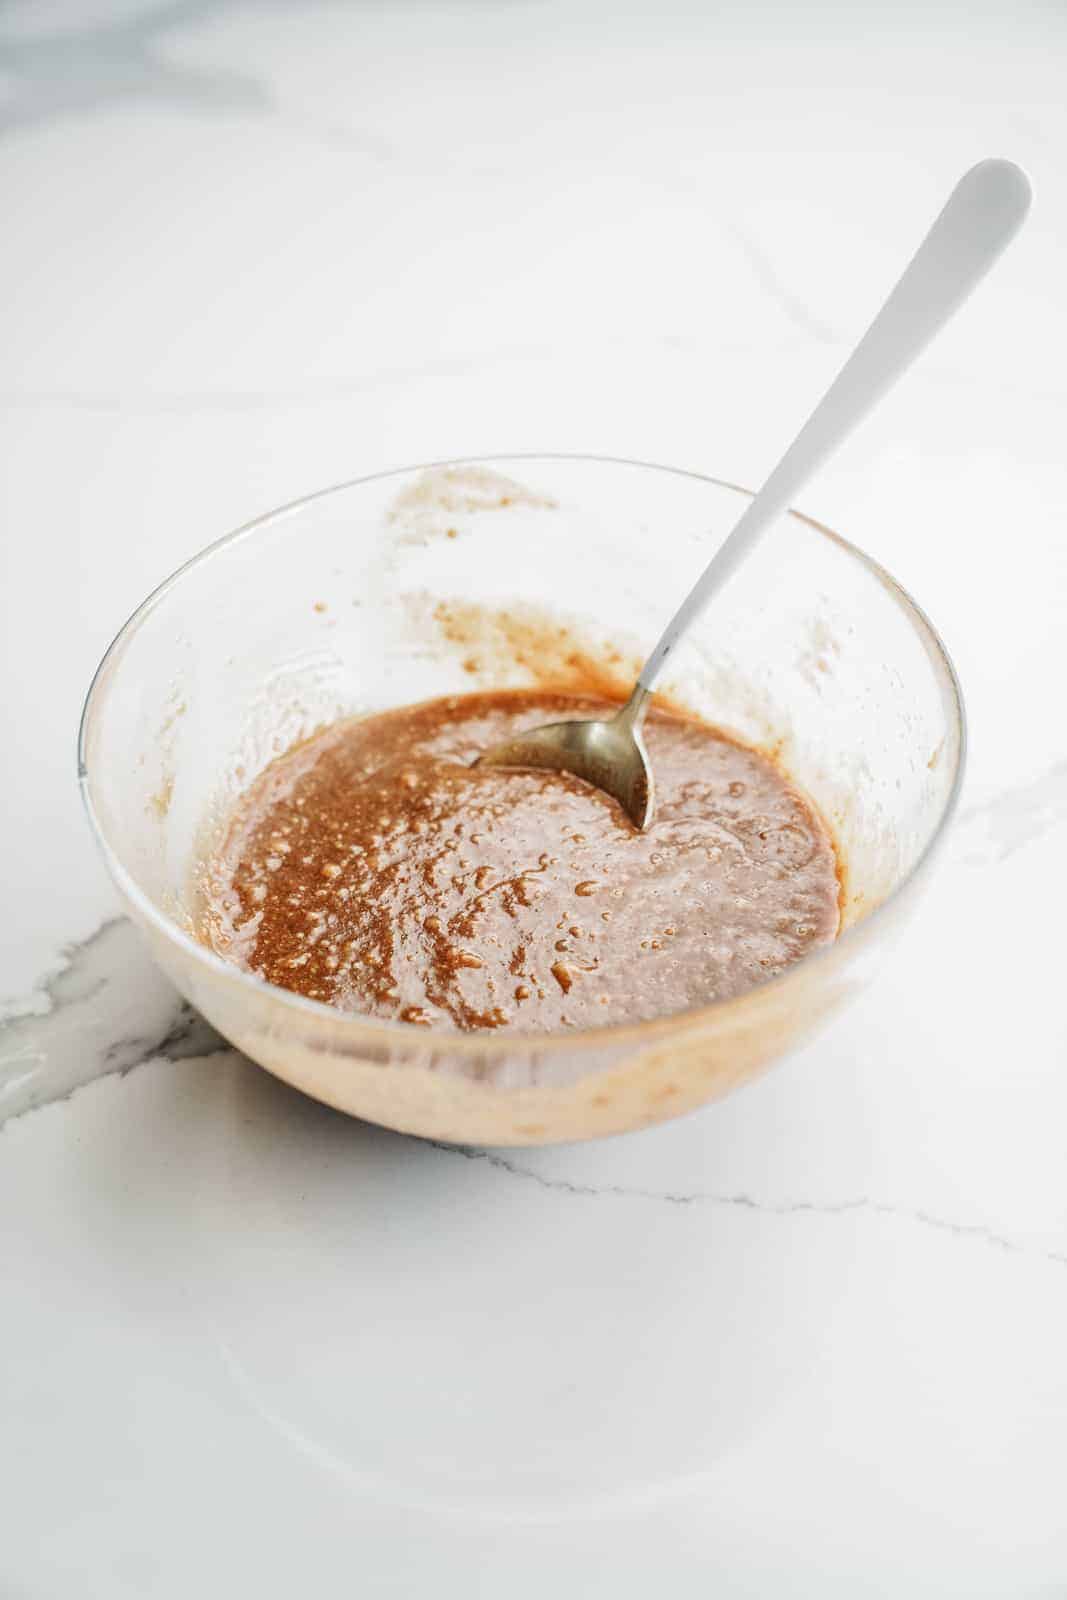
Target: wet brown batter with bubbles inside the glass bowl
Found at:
x=374, y=868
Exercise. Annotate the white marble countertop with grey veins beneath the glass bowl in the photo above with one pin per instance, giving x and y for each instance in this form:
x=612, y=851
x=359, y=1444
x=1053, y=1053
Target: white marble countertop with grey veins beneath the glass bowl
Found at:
x=812, y=1342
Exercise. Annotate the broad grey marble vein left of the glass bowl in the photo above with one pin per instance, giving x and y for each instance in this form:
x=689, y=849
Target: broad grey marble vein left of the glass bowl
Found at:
x=106, y=1010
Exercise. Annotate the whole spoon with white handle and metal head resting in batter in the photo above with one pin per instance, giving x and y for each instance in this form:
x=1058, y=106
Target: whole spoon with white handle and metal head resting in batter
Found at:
x=981, y=217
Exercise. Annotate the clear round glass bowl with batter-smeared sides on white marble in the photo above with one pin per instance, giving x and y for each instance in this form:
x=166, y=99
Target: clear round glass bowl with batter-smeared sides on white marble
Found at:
x=519, y=572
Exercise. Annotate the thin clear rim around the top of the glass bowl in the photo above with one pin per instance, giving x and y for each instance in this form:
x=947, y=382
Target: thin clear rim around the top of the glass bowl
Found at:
x=482, y=1046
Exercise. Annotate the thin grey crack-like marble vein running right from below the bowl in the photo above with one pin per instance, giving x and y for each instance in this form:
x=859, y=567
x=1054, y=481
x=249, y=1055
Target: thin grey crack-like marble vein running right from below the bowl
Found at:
x=861, y=1204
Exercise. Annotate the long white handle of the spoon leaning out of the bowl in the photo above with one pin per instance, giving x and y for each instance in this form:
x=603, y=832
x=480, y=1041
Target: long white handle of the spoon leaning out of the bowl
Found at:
x=981, y=217
